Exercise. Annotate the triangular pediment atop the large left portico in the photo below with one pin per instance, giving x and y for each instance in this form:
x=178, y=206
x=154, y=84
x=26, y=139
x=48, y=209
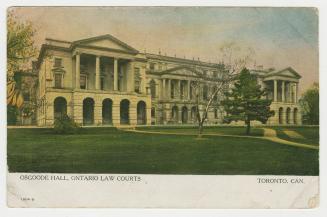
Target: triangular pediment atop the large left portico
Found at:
x=105, y=42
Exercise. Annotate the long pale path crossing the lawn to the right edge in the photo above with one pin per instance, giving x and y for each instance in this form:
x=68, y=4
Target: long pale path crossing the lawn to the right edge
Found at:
x=269, y=134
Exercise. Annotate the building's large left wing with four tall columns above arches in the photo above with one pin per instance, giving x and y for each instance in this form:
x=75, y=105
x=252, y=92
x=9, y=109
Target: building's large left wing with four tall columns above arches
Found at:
x=99, y=90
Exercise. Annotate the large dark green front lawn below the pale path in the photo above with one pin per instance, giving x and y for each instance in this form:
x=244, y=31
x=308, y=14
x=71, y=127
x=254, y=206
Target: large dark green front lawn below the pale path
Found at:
x=107, y=150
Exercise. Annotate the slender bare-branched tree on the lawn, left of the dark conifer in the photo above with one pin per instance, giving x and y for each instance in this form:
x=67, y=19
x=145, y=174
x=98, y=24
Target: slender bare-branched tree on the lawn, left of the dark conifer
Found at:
x=234, y=59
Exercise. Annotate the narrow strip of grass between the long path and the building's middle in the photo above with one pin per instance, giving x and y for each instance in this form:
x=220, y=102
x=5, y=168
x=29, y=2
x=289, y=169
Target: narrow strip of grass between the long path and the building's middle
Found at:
x=230, y=130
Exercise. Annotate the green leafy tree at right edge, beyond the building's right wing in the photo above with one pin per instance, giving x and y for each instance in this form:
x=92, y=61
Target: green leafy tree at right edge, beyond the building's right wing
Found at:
x=309, y=103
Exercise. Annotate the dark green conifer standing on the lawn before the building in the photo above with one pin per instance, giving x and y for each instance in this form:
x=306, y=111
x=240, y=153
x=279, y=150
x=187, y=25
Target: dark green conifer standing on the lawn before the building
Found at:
x=247, y=101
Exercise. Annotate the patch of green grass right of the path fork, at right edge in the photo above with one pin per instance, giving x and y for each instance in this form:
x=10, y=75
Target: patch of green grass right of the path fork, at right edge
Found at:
x=310, y=134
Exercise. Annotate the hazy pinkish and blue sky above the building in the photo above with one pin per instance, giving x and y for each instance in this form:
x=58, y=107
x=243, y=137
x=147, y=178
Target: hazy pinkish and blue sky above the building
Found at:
x=280, y=37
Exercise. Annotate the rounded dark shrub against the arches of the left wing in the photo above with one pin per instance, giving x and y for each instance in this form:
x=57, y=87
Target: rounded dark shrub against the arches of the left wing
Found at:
x=65, y=125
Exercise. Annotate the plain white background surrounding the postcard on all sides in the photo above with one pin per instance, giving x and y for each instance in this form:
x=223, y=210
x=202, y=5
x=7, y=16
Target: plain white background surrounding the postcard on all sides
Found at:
x=321, y=211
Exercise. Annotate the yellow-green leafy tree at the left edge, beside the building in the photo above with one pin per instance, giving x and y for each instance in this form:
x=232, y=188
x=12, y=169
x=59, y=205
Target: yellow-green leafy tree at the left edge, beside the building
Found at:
x=20, y=49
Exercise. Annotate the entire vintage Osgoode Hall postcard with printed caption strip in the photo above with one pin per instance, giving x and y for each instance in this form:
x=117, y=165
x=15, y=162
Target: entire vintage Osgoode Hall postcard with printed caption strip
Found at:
x=163, y=107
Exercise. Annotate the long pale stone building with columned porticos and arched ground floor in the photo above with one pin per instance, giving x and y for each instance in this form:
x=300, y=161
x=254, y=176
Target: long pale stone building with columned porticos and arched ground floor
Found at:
x=103, y=81
